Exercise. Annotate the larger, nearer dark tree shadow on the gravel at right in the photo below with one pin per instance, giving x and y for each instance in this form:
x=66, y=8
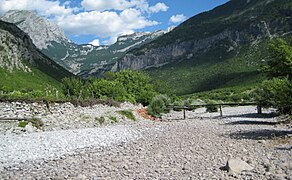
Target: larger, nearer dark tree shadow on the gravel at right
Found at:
x=260, y=134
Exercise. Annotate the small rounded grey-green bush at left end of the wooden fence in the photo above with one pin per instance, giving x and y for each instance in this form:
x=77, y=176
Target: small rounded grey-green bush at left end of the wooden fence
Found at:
x=158, y=105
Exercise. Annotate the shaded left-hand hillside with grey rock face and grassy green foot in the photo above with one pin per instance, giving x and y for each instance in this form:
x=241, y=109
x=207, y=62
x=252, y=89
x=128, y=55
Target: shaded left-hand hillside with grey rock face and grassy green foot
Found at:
x=22, y=65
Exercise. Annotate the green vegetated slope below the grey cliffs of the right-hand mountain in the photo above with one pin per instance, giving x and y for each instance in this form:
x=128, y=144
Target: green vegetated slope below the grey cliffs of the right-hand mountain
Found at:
x=215, y=69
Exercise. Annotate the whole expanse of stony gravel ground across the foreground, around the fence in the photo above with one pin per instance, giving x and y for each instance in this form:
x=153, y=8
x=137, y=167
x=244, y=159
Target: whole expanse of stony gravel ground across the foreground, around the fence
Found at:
x=195, y=148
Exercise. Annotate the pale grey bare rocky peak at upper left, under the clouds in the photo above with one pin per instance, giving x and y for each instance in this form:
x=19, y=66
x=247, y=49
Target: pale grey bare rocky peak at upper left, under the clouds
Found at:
x=41, y=31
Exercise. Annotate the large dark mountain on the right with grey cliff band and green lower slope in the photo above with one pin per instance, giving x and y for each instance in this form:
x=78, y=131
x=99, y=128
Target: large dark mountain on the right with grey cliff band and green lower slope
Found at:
x=220, y=48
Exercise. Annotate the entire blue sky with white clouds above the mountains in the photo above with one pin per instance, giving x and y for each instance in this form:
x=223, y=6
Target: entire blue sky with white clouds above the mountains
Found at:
x=100, y=22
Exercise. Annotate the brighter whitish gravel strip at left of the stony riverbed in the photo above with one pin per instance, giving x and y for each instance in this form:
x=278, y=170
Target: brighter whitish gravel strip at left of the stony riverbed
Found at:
x=19, y=148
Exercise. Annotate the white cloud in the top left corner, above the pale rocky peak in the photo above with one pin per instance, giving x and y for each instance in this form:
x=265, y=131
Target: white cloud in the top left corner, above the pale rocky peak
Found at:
x=43, y=7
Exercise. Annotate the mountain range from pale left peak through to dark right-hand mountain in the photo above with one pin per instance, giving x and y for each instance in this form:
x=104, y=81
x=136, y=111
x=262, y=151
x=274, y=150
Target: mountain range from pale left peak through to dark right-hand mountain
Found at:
x=220, y=48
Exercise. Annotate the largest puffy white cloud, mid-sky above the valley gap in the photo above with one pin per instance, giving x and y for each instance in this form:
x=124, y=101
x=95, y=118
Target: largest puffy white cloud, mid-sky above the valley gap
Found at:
x=104, y=24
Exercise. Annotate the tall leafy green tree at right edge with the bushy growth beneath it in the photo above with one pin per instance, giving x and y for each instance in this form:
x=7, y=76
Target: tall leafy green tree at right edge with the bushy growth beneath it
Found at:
x=277, y=92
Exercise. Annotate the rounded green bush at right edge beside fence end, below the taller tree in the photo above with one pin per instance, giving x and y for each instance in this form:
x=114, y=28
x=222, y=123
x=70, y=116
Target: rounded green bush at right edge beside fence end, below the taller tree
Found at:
x=276, y=93
